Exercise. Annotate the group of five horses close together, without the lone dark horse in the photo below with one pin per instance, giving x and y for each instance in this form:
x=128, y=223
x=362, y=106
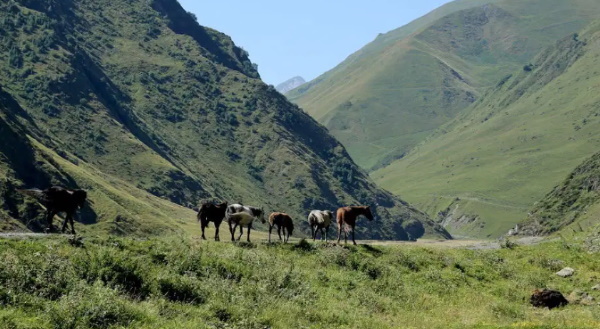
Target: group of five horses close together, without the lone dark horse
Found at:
x=237, y=215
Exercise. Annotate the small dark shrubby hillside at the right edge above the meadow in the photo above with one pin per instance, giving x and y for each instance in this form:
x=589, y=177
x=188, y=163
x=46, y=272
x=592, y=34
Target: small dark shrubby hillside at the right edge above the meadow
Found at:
x=575, y=203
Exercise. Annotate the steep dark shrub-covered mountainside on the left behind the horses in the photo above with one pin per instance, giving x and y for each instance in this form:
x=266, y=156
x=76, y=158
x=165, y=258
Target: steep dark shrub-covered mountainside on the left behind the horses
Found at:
x=151, y=112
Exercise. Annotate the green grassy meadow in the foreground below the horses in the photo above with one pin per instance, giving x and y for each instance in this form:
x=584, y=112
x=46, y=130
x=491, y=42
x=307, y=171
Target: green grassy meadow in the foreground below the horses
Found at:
x=178, y=282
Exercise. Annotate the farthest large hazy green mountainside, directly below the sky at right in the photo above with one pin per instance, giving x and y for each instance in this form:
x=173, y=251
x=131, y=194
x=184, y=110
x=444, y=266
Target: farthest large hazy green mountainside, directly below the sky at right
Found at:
x=387, y=97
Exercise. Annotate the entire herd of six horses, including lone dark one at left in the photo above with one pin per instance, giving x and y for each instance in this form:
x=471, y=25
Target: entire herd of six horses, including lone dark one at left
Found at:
x=58, y=199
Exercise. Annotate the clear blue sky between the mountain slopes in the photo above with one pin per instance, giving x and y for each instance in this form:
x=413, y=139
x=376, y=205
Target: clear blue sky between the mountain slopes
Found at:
x=306, y=38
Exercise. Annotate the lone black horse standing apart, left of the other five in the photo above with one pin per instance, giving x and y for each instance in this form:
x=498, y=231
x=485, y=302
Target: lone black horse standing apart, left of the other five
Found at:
x=58, y=199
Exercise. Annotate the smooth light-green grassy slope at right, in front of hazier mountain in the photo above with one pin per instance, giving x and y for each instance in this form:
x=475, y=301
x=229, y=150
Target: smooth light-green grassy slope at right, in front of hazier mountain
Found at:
x=502, y=154
